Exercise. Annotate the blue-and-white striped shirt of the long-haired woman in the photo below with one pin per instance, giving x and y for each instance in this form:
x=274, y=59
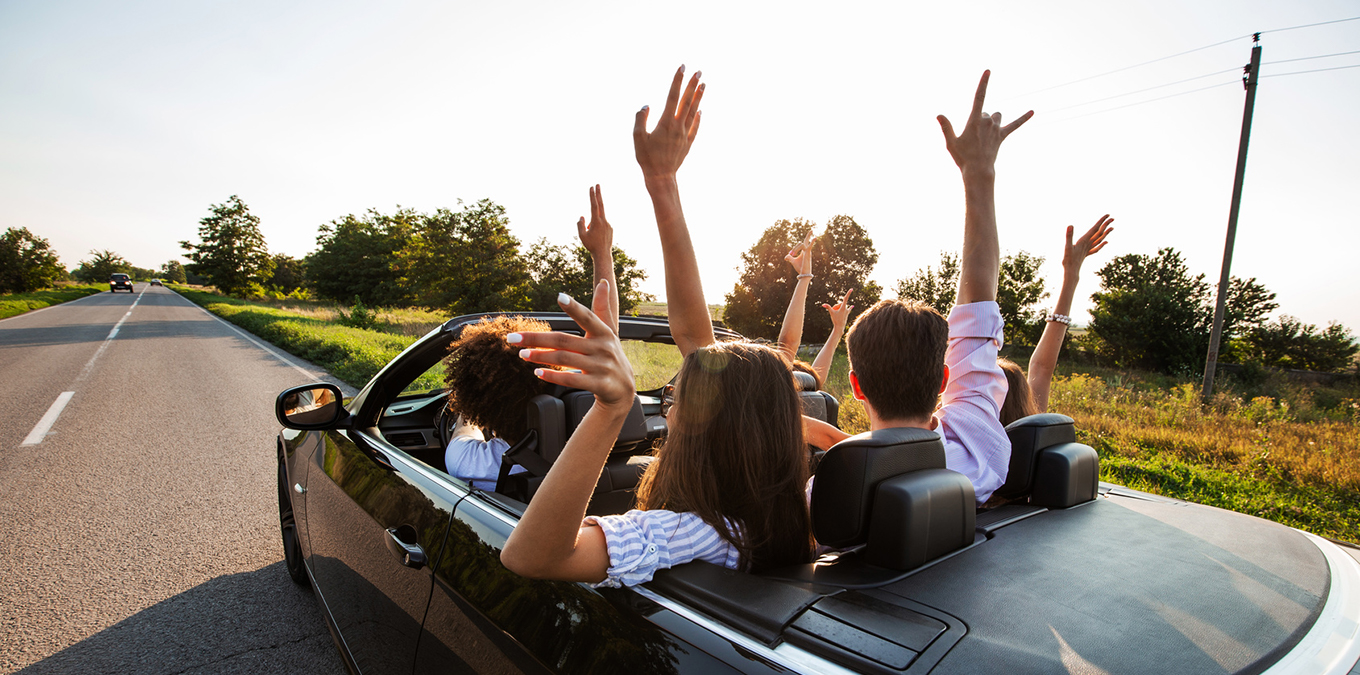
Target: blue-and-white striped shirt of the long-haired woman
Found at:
x=643, y=542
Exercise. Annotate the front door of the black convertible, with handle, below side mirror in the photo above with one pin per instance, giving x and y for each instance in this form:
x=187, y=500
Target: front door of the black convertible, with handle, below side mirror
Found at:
x=372, y=514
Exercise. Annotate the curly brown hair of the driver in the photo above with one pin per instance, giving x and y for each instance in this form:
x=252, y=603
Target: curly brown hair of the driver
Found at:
x=489, y=384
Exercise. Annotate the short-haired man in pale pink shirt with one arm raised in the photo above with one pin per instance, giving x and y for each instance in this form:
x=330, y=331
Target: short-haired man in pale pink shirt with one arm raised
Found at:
x=911, y=367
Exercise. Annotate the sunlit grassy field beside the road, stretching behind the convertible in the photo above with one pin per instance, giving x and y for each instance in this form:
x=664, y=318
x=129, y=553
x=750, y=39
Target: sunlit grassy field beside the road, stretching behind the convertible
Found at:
x=1291, y=457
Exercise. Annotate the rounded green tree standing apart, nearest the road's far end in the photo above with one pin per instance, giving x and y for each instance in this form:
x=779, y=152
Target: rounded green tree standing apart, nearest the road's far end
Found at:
x=232, y=254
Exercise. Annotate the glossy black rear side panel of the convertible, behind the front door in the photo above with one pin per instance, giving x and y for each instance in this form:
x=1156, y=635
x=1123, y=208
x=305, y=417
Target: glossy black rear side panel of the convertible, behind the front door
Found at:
x=485, y=619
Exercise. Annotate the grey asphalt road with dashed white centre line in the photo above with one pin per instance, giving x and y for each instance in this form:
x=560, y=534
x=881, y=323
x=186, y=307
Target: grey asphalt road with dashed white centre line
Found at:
x=141, y=534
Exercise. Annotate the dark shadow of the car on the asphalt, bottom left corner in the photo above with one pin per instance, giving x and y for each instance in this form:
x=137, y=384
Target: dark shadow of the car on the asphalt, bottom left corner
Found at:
x=251, y=623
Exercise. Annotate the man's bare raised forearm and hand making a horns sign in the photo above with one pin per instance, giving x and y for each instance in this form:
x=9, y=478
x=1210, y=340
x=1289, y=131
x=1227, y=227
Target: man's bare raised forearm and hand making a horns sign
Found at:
x=976, y=153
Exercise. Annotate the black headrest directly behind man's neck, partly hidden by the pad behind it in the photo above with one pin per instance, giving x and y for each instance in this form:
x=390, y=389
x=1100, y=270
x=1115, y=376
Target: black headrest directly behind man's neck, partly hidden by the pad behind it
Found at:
x=849, y=476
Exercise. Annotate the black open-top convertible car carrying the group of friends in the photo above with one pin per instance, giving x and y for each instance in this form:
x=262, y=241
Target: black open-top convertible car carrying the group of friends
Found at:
x=1068, y=576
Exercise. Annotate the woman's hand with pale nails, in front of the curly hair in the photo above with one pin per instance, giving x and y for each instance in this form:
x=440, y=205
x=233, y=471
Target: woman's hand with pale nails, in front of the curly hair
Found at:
x=598, y=359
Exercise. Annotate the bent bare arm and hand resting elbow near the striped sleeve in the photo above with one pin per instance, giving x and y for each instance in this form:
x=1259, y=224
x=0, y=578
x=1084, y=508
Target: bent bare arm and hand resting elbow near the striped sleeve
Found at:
x=550, y=542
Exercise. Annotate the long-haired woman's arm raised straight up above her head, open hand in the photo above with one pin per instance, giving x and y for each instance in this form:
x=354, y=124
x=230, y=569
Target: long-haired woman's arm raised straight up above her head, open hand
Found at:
x=660, y=156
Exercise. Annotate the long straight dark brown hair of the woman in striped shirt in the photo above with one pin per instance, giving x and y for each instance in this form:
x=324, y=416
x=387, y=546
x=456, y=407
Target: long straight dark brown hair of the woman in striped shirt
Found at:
x=735, y=454
